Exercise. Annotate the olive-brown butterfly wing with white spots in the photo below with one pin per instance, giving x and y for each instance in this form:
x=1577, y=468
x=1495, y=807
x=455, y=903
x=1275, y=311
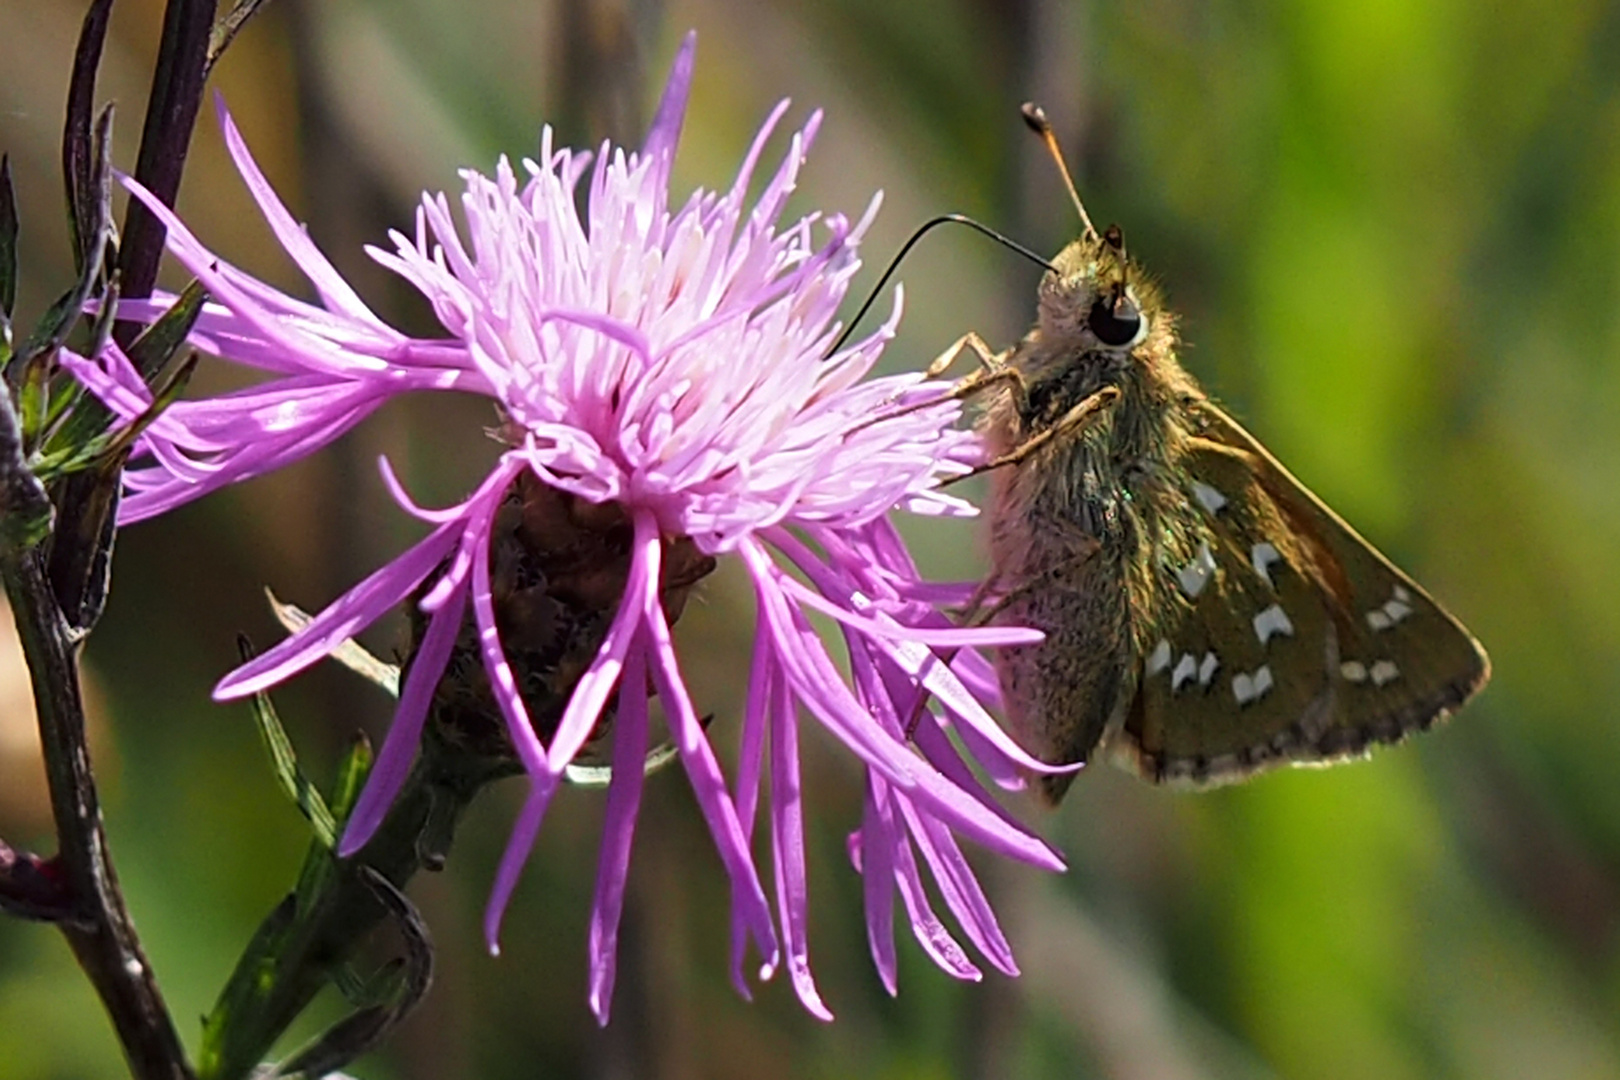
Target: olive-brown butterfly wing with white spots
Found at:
x=1279, y=636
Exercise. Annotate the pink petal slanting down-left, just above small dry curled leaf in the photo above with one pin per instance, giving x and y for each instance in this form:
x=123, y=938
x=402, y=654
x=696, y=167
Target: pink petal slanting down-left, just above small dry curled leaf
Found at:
x=343, y=618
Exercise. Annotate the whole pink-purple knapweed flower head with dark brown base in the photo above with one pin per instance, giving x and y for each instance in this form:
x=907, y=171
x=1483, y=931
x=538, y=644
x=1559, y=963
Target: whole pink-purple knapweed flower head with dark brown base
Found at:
x=668, y=396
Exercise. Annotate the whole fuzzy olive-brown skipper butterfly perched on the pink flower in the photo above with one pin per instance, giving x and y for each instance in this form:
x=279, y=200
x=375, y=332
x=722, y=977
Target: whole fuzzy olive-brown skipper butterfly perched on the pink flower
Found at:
x=1206, y=614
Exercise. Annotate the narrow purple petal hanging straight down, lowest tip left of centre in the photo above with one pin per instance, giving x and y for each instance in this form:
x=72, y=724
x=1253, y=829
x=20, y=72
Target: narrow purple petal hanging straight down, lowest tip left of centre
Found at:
x=625, y=802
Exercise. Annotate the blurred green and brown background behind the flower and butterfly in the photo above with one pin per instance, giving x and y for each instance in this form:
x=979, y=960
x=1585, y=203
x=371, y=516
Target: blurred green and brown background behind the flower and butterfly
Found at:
x=1394, y=234
